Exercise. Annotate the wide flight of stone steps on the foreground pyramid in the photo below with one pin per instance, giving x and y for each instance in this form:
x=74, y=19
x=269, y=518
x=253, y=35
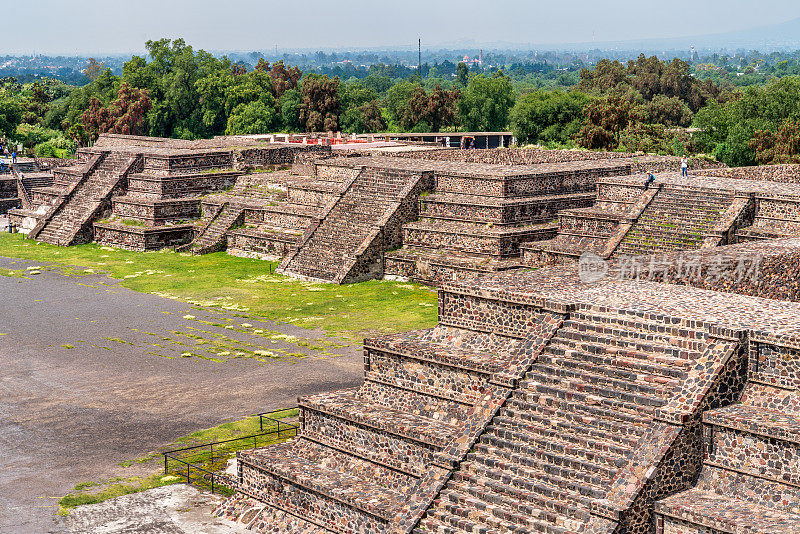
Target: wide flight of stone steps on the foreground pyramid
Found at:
x=568, y=430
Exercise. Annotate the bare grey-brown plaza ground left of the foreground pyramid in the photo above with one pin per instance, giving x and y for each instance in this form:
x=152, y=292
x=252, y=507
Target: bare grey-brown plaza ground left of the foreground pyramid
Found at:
x=92, y=374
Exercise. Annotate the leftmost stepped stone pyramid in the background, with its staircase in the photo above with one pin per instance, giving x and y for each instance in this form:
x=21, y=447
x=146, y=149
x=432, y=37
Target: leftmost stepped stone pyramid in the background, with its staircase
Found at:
x=142, y=193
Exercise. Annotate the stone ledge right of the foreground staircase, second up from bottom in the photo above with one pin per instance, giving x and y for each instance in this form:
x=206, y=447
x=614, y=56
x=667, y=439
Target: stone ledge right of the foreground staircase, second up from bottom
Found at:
x=757, y=420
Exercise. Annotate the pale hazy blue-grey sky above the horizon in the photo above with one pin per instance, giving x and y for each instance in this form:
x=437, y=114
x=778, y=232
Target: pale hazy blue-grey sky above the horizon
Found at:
x=86, y=26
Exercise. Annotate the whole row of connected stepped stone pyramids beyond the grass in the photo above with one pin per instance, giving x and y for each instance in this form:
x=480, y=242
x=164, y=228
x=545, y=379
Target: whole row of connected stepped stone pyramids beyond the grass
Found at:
x=431, y=215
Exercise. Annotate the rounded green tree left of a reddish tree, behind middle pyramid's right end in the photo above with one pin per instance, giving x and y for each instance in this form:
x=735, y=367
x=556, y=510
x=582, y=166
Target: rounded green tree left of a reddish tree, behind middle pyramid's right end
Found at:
x=548, y=116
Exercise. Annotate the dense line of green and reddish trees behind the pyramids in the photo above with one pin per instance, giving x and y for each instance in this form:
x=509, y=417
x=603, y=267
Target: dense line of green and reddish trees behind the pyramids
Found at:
x=644, y=105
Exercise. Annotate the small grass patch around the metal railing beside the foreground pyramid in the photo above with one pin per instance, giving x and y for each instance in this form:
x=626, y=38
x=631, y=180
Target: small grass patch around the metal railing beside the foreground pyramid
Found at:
x=93, y=492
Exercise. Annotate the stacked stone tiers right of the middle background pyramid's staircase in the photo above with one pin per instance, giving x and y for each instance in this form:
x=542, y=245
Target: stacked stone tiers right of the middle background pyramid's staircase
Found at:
x=479, y=216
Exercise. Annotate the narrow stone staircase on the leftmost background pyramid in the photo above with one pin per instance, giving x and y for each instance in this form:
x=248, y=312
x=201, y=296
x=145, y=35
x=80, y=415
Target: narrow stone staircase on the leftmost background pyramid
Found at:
x=69, y=221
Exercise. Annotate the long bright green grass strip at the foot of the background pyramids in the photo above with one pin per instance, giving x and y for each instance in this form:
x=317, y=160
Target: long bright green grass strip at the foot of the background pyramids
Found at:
x=244, y=286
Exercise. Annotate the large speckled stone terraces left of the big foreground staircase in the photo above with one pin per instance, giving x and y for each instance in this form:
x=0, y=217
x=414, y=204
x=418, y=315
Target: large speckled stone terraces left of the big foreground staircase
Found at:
x=364, y=452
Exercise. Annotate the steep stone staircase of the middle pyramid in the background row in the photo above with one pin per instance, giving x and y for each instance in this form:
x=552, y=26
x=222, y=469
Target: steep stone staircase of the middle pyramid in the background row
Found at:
x=355, y=228
